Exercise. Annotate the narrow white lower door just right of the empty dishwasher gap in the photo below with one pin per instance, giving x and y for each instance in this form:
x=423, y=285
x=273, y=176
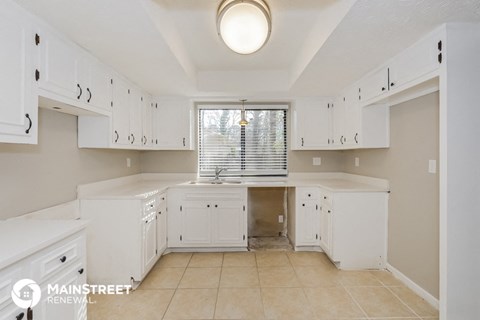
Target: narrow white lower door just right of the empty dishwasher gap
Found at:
x=308, y=223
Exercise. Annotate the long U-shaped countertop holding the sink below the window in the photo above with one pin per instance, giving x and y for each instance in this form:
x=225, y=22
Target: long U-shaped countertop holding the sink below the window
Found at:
x=146, y=185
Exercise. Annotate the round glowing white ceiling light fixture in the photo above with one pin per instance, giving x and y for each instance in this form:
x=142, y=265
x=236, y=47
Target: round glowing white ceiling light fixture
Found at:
x=244, y=25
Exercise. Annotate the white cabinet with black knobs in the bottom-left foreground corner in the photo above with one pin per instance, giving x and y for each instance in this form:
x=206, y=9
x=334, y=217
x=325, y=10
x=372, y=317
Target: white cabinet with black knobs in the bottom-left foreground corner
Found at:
x=62, y=264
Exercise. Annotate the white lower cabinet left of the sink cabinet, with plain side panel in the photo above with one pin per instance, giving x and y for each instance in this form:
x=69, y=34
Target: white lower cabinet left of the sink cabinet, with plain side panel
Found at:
x=128, y=251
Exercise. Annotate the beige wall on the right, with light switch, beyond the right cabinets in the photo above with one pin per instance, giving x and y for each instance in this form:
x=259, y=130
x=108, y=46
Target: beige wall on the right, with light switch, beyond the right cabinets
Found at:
x=413, y=207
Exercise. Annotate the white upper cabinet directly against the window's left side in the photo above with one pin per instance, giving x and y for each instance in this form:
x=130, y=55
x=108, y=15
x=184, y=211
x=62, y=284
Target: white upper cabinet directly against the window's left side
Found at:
x=174, y=124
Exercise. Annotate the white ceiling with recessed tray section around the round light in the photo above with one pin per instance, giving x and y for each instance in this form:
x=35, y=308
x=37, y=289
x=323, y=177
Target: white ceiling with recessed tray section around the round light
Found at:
x=317, y=47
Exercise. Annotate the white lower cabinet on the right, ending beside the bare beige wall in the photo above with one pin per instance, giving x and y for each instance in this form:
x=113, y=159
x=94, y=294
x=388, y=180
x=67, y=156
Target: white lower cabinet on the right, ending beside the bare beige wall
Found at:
x=353, y=228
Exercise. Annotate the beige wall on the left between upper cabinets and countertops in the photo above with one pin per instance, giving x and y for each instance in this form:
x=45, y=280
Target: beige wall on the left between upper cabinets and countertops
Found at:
x=39, y=176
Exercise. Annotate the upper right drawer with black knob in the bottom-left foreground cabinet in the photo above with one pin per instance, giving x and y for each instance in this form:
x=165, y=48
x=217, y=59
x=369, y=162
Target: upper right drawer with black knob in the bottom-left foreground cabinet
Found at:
x=58, y=259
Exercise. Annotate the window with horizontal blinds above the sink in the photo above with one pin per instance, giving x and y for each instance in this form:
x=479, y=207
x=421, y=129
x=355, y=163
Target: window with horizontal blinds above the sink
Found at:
x=258, y=149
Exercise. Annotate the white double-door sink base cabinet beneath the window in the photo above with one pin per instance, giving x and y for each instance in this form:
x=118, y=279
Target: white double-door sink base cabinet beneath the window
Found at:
x=207, y=217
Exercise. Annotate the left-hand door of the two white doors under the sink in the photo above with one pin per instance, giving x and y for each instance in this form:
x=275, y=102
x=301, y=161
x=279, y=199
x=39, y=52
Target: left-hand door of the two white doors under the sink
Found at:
x=195, y=224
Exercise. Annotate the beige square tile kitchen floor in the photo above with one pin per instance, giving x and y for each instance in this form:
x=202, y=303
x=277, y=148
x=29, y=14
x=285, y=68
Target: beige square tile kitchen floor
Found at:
x=261, y=285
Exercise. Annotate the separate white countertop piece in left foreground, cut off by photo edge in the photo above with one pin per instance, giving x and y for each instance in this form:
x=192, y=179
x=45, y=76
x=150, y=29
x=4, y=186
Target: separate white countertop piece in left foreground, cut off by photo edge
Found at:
x=21, y=238
